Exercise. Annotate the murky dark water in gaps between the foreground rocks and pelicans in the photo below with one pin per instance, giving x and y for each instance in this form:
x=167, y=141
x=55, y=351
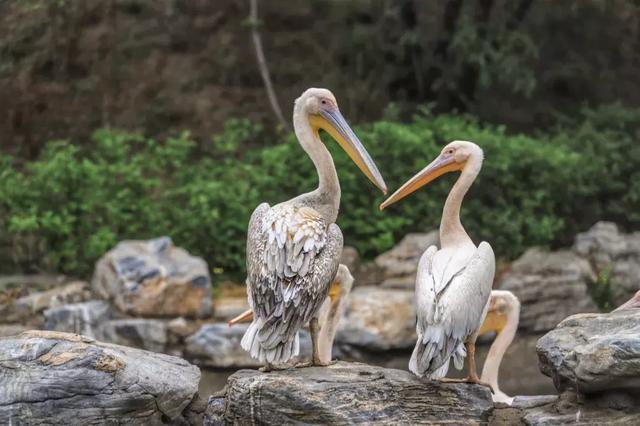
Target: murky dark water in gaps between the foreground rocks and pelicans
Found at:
x=519, y=373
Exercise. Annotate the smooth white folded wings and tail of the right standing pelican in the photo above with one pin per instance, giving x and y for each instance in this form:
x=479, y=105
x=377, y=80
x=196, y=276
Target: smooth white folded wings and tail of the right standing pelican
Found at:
x=452, y=290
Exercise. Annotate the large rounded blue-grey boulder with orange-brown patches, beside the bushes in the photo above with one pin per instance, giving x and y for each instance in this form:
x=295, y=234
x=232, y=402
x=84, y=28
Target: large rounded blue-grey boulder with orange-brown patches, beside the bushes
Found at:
x=154, y=279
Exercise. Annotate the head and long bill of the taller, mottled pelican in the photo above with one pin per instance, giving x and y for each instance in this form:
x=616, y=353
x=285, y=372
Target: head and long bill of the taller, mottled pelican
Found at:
x=321, y=108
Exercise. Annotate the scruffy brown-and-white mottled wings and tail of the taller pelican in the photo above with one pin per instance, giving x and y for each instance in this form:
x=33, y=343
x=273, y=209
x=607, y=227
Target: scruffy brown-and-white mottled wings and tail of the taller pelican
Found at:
x=292, y=259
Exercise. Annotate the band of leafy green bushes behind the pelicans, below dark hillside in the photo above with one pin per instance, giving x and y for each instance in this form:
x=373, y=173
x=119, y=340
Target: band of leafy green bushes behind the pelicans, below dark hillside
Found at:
x=65, y=209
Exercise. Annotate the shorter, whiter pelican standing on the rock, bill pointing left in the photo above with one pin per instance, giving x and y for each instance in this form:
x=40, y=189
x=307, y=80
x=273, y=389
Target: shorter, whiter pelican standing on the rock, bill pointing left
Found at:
x=453, y=284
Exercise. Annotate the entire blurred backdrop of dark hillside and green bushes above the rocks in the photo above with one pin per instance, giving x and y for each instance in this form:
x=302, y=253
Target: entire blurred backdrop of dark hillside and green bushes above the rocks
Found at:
x=125, y=119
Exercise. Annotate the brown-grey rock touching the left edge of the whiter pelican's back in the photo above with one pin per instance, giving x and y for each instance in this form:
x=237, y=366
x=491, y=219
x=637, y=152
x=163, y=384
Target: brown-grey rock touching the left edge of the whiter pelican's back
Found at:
x=399, y=265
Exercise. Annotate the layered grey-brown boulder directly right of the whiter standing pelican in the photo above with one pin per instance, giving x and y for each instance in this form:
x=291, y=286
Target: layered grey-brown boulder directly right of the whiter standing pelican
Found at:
x=550, y=286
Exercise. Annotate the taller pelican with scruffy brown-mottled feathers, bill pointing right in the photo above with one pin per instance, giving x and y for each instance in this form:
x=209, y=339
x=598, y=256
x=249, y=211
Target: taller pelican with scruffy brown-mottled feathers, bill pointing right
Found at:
x=294, y=248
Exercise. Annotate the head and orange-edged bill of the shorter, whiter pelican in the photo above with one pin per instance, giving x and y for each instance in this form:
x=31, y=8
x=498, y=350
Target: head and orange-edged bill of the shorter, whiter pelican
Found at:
x=456, y=156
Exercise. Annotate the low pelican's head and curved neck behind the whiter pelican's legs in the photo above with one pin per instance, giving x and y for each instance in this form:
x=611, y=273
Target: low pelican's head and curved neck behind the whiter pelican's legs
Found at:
x=502, y=317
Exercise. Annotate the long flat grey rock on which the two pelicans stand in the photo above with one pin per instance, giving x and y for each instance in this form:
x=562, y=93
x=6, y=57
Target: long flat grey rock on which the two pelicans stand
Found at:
x=348, y=393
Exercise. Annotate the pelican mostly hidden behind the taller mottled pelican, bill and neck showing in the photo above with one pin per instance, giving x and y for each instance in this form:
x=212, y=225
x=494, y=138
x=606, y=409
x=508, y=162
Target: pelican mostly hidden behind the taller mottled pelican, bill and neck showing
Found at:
x=330, y=313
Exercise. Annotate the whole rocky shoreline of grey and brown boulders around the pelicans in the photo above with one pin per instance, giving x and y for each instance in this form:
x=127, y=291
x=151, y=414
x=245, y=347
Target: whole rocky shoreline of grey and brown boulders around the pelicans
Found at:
x=86, y=361
